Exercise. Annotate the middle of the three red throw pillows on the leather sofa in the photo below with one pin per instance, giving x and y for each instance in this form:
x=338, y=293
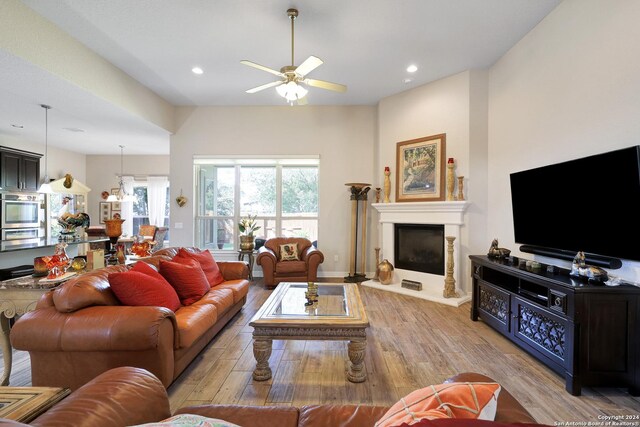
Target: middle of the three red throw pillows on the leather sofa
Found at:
x=187, y=278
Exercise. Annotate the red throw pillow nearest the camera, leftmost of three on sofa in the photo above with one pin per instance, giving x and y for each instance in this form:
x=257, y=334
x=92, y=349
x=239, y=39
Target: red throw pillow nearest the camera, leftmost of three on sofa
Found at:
x=137, y=288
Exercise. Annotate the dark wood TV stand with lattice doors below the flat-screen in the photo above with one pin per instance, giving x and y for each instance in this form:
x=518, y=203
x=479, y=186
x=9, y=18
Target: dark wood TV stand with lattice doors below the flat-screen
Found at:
x=585, y=332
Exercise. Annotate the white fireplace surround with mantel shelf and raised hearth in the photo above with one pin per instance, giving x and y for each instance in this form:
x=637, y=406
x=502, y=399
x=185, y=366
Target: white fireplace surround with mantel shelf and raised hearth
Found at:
x=449, y=214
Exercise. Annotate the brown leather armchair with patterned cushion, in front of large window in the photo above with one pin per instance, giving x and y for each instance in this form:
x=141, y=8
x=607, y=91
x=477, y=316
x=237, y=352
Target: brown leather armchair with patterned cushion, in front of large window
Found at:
x=276, y=270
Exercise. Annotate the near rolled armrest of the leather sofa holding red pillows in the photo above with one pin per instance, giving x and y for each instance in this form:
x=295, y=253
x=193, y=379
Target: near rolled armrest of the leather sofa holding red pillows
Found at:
x=98, y=328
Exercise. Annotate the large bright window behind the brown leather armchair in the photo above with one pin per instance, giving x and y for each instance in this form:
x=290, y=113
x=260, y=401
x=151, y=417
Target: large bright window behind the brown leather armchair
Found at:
x=283, y=193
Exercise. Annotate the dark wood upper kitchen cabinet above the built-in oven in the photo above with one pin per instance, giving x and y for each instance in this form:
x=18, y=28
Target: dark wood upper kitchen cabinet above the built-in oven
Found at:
x=19, y=170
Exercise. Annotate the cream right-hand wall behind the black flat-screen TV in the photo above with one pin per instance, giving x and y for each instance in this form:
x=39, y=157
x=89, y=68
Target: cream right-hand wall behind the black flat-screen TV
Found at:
x=569, y=89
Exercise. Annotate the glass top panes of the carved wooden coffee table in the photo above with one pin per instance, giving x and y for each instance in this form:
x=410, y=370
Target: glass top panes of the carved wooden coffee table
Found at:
x=331, y=302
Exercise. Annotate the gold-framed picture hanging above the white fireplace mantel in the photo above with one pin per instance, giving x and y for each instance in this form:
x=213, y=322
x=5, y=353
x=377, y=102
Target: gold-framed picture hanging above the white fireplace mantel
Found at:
x=420, y=169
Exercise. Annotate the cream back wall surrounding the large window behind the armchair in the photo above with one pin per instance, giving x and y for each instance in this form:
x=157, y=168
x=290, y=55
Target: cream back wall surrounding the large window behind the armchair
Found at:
x=343, y=137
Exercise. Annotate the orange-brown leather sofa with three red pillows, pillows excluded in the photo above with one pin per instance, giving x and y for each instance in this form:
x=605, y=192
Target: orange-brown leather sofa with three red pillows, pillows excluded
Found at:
x=80, y=329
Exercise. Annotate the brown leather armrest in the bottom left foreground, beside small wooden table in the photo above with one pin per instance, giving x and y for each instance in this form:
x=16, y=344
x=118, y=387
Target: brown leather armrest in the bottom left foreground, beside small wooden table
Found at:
x=118, y=397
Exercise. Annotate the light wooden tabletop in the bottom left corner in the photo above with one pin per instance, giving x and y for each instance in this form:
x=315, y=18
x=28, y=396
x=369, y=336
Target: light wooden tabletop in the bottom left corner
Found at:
x=25, y=404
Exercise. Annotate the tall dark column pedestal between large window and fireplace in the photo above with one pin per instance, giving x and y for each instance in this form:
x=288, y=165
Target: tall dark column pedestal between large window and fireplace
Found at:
x=358, y=194
